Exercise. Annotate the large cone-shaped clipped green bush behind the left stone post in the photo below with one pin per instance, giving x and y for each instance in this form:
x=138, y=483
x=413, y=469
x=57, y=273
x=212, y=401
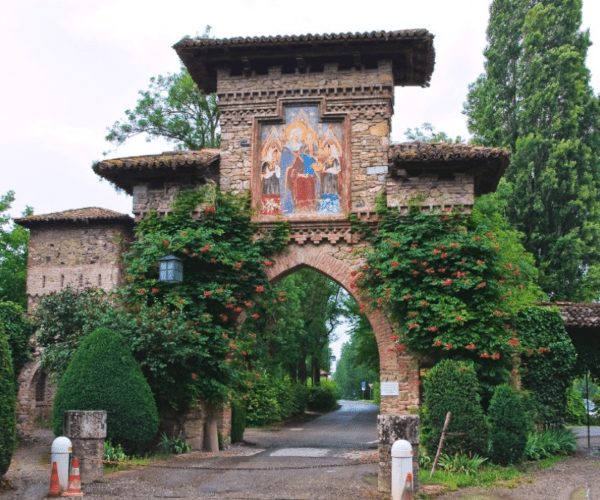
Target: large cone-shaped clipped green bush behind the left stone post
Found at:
x=103, y=375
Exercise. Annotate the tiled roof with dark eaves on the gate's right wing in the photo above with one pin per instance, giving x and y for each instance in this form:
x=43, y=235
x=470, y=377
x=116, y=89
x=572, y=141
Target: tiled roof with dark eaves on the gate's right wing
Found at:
x=486, y=165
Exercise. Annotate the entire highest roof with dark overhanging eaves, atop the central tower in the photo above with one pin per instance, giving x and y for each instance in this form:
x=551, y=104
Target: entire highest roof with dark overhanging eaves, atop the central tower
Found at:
x=410, y=51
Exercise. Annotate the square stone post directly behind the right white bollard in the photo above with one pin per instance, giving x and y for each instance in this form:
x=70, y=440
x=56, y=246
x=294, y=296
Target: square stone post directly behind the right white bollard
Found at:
x=390, y=428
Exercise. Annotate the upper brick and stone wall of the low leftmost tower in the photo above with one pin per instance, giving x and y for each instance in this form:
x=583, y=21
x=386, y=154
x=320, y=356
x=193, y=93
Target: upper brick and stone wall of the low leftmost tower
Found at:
x=76, y=256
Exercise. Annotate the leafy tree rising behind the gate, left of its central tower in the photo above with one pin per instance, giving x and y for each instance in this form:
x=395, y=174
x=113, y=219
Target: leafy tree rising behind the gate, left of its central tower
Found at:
x=175, y=109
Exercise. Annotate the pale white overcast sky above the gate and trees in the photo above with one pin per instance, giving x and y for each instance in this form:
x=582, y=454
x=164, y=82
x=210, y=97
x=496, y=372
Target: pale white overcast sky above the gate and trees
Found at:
x=71, y=67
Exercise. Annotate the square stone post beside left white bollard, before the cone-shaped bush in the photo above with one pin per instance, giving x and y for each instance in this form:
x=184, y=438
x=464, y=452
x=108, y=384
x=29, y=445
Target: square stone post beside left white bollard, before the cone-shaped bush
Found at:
x=87, y=431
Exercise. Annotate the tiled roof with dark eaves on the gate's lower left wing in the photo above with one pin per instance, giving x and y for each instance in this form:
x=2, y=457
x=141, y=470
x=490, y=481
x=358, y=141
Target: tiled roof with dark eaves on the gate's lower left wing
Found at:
x=125, y=173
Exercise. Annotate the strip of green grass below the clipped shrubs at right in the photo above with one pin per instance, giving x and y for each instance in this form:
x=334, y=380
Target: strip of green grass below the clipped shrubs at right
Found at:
x=489, y=476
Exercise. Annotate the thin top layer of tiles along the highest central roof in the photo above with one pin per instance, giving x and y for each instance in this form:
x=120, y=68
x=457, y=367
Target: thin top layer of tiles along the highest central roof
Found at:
x=294, y=39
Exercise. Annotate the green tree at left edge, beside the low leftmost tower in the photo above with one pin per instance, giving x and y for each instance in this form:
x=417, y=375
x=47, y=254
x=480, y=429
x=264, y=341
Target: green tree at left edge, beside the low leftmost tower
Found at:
x=14, y=242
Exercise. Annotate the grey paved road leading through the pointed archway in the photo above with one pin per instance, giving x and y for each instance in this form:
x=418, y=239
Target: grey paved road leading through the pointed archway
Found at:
x=321, y=448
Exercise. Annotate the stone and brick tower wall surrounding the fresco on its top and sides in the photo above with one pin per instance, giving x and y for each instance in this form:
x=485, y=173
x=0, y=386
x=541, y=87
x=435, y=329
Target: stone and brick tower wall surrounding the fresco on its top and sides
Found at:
x=363, y=97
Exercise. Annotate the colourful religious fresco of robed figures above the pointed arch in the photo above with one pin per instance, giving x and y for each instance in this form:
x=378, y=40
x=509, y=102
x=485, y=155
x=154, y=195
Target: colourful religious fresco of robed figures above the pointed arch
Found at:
x=301, y=164
